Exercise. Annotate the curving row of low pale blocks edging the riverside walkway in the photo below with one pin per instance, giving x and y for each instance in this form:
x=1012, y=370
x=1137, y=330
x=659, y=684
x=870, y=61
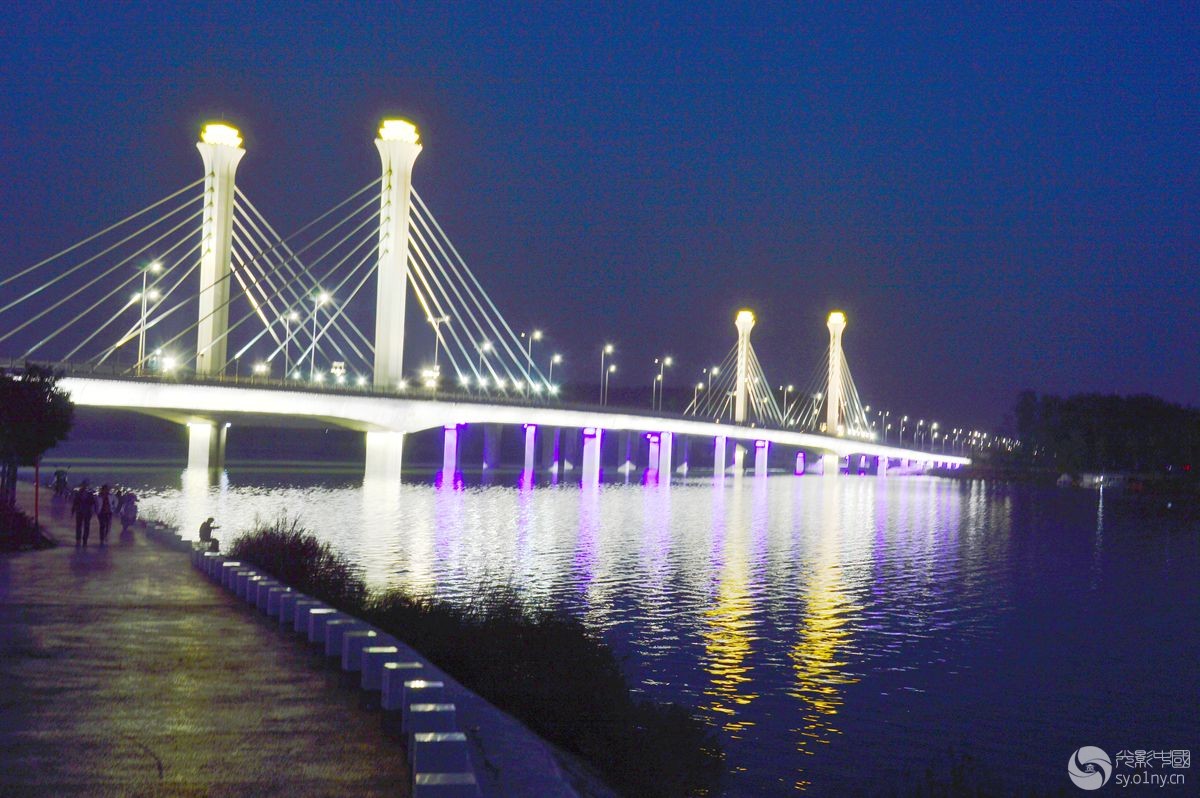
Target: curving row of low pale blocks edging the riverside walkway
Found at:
x=437, y=752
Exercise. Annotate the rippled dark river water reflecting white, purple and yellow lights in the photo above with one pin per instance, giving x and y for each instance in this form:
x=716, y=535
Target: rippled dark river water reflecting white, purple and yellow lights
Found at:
x=844, y=635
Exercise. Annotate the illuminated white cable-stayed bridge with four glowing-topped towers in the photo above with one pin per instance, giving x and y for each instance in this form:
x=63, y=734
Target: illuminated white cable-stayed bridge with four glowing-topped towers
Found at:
x=195, y=309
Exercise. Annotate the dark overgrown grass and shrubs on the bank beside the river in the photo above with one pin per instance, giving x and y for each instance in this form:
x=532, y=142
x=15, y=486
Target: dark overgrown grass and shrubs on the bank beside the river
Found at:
x=541, y=665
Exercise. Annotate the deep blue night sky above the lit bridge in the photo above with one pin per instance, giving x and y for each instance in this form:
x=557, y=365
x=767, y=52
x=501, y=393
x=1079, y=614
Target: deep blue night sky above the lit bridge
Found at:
x=1000, y=197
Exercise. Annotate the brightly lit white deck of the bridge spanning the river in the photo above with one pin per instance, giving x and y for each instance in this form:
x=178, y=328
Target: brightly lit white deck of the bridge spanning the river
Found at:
x=208, y=404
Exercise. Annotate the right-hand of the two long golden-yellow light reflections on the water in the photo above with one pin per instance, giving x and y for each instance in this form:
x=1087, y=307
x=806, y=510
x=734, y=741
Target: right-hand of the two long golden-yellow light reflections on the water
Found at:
x=824, y=635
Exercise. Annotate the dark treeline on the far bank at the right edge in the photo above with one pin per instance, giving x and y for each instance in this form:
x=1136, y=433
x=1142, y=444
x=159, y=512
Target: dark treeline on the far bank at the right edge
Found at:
x=1094, y=433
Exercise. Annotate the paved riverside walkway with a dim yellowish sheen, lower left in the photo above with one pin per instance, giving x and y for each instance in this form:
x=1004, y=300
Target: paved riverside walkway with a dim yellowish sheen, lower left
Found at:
x=124, y=673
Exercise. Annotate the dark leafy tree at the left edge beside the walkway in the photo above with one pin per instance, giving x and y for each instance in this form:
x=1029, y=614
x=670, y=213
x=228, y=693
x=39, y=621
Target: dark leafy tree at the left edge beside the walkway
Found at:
x=35, y=416
